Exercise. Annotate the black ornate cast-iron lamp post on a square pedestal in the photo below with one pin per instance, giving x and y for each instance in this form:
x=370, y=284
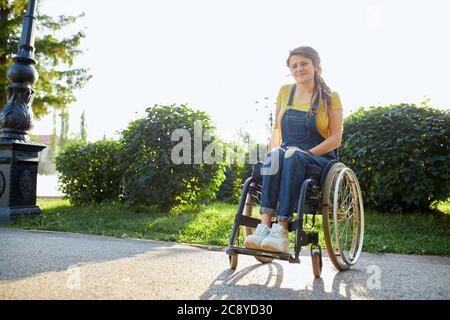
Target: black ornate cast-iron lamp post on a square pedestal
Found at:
x=19, y=156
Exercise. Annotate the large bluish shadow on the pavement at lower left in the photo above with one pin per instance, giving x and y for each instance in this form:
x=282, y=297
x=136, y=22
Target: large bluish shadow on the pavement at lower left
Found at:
x=26, y=253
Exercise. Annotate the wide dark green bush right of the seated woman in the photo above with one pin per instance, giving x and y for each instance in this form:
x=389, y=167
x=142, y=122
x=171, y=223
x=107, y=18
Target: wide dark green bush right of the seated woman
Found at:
x=400, y=155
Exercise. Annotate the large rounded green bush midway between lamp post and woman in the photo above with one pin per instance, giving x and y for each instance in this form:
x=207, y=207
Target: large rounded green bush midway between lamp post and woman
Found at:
x=149, y=174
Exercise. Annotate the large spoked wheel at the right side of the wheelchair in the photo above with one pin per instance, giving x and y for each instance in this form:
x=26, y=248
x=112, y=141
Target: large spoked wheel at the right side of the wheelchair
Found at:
x=343, y=216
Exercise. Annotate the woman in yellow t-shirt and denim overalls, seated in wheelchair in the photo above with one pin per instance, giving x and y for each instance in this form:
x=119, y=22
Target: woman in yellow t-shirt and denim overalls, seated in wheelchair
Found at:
x=308, y=128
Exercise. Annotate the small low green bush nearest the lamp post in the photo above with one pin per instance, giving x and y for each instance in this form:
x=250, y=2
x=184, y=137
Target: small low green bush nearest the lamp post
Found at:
x=88, y=172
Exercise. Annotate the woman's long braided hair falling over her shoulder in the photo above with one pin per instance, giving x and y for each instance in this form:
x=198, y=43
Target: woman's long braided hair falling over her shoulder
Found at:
x=320, y=87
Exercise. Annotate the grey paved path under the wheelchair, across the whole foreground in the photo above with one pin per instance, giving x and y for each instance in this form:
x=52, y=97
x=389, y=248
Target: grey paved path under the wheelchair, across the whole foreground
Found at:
x=51, y=265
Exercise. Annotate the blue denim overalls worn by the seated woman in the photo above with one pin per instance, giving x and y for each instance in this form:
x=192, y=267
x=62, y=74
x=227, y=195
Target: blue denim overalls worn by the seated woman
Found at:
x=284, y=170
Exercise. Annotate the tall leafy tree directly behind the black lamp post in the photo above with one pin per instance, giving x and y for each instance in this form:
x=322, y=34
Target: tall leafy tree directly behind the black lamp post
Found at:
x=58, y=80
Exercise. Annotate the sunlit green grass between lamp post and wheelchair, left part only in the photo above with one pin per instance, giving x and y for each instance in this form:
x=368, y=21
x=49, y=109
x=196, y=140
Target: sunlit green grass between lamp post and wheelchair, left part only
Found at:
x=210, y=225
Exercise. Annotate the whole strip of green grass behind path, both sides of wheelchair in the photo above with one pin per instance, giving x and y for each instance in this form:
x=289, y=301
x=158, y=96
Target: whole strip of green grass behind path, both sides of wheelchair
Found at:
x=413, y=233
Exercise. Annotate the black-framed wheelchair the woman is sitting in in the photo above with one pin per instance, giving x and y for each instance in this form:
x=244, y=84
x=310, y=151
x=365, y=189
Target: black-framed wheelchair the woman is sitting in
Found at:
x=332, y=193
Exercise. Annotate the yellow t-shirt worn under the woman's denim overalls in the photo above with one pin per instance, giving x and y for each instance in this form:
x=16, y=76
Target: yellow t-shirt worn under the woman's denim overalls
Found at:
x=322, y=116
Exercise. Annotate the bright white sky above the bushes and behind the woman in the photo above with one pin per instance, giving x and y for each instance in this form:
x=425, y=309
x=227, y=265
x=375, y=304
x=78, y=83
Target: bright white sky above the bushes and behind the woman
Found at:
x=222, y=56
